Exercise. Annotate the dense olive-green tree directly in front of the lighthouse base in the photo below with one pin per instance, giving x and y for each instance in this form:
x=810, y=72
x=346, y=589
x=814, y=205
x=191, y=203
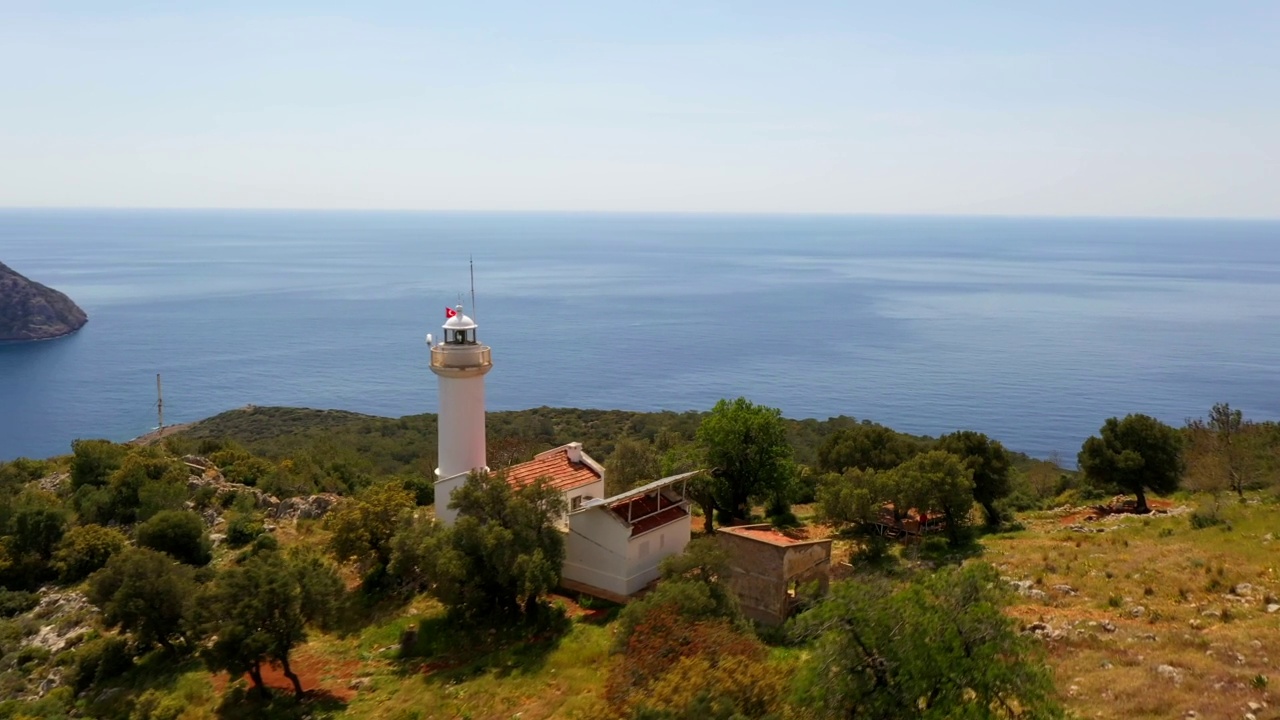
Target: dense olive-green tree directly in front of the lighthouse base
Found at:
x=502, y=554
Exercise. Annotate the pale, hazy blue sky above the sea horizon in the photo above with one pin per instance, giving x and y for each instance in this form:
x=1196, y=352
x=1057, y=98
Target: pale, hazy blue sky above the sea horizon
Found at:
x=1022, y=108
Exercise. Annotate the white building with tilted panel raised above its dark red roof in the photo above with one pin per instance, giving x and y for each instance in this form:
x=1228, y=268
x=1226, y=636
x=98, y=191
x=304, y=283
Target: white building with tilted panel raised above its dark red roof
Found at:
x=615, y=545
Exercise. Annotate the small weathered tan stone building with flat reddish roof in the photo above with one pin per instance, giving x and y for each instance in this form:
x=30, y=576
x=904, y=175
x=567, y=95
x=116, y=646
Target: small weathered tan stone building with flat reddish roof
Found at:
x=771, y=571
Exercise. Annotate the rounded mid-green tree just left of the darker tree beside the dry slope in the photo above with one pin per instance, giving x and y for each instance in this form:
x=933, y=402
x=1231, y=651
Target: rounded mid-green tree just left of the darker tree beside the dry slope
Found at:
x=936, y=482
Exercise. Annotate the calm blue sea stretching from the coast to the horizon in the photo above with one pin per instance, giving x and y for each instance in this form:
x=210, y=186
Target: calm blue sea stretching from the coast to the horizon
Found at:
x=1032, y=331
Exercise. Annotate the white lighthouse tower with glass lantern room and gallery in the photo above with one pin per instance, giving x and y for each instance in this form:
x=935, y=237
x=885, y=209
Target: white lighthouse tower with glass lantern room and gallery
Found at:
x=461, y=363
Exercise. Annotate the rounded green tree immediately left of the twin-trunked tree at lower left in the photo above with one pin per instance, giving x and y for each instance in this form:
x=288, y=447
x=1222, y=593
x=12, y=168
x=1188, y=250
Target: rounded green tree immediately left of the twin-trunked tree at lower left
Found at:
x=144, y=593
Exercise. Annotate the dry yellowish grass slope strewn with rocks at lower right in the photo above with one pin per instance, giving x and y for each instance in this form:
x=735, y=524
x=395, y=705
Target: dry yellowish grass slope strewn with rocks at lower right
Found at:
x=1154, y=593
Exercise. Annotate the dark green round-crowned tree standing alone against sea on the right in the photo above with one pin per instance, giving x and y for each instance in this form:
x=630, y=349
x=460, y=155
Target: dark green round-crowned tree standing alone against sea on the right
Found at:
x=1136, y=454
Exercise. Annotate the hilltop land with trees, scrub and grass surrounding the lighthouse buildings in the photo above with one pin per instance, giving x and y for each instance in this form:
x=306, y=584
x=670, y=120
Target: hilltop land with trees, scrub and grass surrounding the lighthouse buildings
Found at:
x=143, y=584
